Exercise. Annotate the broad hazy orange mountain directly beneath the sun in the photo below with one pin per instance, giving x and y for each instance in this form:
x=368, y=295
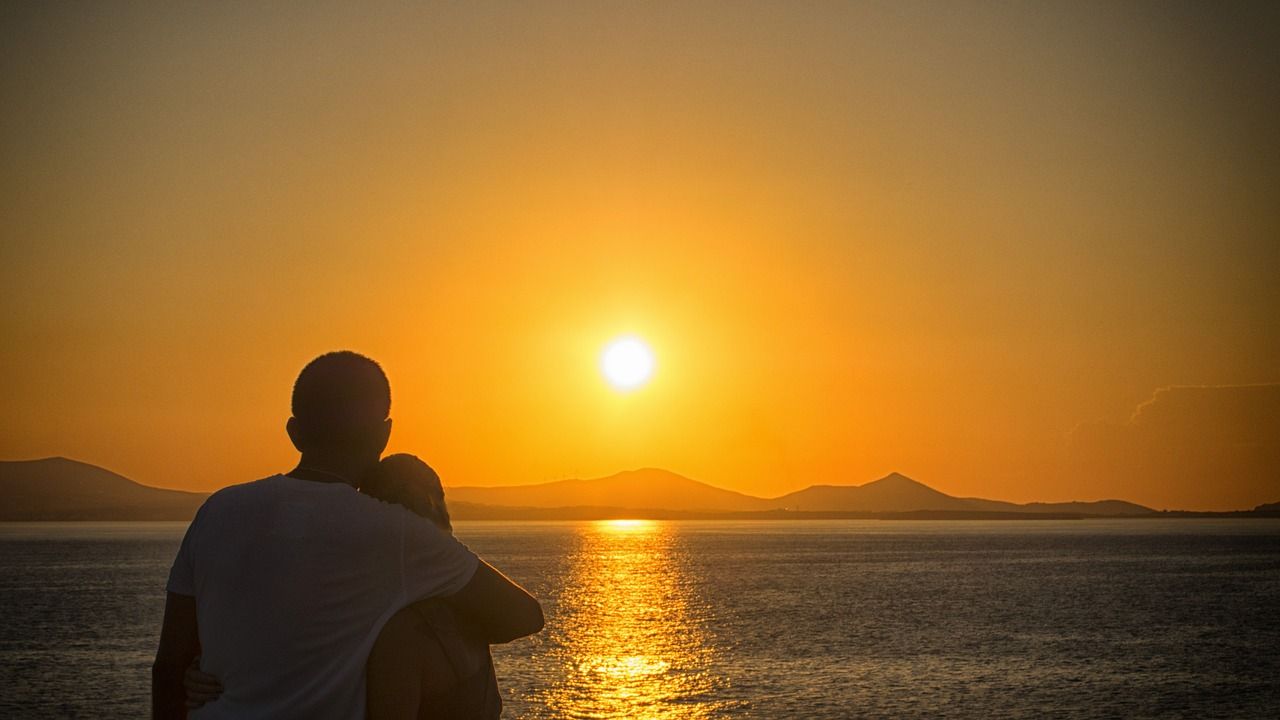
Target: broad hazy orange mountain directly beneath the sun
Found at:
x=648, y=489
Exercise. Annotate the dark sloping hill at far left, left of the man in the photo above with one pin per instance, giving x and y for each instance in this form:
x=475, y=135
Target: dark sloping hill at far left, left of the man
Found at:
x=57, y=489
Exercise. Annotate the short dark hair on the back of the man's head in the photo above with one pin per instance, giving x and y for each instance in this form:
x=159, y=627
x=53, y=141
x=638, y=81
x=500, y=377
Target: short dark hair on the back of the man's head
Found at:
x=341, y=395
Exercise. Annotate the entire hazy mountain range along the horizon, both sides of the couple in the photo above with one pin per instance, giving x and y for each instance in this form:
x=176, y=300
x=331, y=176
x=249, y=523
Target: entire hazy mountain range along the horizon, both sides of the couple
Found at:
x=57, y=489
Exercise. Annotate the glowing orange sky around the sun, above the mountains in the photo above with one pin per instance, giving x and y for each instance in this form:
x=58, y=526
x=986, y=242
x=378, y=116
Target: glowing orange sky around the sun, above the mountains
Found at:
x=964, y=243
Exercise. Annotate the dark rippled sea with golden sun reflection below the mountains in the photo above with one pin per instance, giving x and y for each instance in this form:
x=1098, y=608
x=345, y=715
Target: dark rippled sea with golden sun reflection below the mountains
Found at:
x=1155, y=618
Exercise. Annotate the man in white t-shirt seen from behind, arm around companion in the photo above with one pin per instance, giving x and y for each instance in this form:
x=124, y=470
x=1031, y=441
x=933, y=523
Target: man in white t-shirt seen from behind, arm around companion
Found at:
x=292, y=577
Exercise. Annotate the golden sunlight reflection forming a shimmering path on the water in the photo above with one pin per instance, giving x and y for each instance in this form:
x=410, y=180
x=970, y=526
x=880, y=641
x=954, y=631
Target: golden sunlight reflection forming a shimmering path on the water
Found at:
x=630, y=626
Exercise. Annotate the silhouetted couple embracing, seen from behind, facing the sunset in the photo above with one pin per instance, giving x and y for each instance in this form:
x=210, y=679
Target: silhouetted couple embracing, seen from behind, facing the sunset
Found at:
x=295, y=590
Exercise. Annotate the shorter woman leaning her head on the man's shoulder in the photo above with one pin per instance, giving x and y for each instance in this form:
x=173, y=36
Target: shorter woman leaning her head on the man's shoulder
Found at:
x=427, y=663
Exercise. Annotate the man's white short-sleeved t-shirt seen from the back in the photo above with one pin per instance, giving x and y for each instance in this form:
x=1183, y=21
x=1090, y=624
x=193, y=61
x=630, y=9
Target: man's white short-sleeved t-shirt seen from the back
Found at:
x=294, y=581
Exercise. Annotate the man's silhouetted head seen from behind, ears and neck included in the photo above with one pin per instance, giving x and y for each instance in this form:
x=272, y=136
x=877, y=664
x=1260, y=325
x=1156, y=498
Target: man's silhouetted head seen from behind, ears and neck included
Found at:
x=341, y=407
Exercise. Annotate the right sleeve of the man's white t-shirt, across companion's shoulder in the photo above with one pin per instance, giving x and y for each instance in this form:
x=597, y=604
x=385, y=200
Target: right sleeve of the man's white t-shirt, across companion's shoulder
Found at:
x=435, y=563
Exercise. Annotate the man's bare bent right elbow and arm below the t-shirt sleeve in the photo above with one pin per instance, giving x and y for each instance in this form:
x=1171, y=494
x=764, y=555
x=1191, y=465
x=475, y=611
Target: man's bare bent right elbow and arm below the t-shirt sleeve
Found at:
x=497, y=607
